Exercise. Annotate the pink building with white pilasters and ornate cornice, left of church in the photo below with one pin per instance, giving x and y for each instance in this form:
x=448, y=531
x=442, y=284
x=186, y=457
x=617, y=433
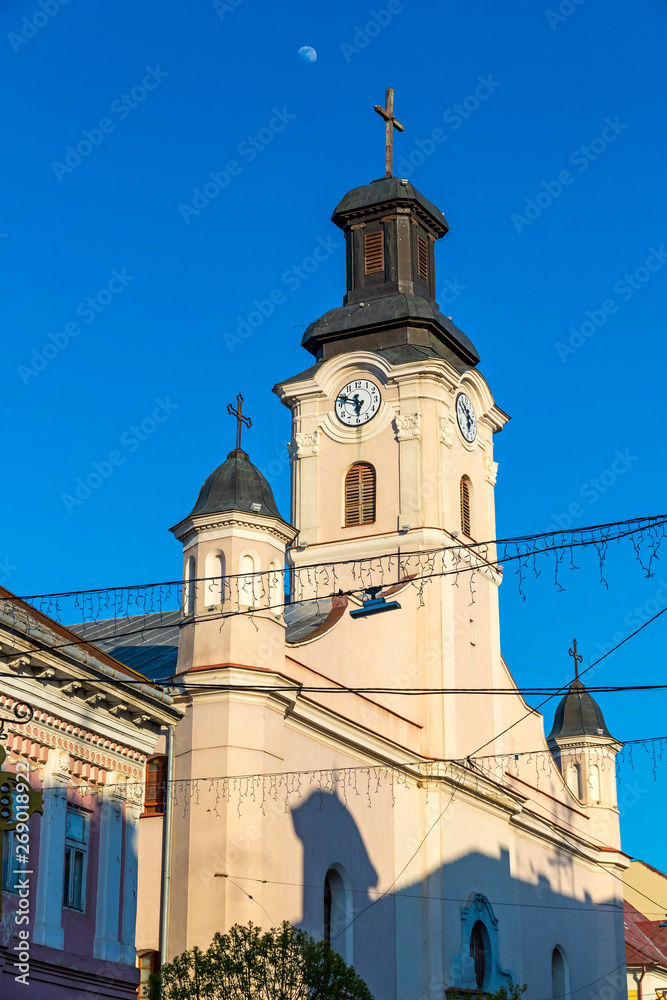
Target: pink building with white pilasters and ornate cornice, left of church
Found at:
x=69, y=886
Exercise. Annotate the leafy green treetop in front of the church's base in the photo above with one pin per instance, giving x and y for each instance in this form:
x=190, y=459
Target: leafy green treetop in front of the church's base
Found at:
x=245, y=964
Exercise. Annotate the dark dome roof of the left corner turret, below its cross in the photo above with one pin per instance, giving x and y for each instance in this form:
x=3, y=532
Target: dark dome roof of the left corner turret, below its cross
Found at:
x=236, y=485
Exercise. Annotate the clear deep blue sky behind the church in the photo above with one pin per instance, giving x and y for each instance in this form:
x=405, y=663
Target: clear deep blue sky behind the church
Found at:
x=554, y=190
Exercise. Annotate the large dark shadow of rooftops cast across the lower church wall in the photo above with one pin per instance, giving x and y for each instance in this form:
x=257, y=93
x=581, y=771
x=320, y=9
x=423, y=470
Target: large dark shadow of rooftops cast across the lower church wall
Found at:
x=468, y=925
